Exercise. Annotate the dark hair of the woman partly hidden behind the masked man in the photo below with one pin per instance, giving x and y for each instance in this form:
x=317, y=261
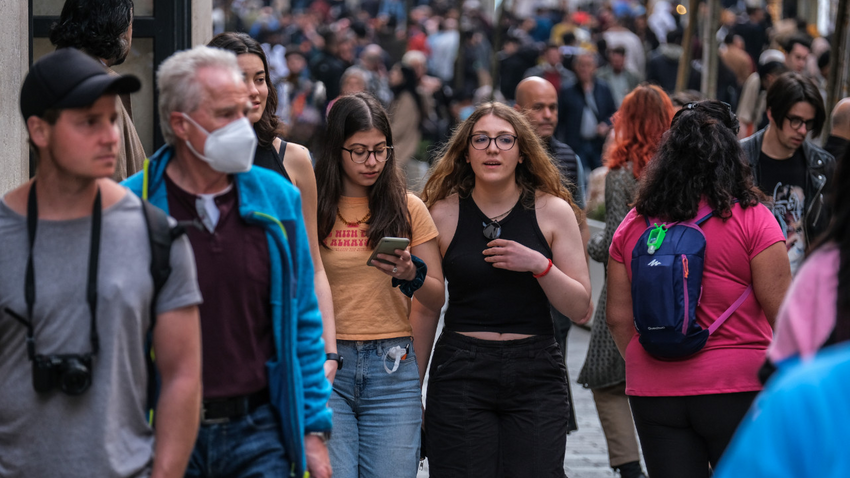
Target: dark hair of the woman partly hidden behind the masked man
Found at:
x=268, y=127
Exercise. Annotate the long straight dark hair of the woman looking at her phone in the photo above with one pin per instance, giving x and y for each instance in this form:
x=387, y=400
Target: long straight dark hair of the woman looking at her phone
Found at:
x=387, y=197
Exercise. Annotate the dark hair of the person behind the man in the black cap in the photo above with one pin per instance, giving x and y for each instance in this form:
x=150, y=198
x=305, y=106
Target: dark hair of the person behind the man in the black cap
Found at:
x=94, y=26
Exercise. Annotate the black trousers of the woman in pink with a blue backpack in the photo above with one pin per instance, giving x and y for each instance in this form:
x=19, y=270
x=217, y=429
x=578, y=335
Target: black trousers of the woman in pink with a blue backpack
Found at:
x=681, y=436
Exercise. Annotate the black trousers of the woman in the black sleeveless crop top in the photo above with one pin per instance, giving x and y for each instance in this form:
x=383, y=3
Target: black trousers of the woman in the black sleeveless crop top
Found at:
x=496, y=408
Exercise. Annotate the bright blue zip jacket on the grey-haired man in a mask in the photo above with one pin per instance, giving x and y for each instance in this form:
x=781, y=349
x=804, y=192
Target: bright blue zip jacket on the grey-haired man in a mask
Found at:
x=297, y=383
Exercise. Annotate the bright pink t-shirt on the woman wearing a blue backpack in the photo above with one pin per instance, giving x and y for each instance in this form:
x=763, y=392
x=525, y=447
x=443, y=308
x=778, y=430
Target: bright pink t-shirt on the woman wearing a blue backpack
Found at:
x=730, y=360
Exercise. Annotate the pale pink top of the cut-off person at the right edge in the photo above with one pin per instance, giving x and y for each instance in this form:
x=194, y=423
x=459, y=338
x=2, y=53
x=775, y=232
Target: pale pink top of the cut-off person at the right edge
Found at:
x=807, y=315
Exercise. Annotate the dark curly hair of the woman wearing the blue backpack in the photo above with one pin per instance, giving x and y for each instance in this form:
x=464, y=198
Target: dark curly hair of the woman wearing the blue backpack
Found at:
x=698, y=157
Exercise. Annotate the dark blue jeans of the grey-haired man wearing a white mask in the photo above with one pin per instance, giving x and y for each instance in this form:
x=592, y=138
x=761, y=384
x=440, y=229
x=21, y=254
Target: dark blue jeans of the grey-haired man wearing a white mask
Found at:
x=250, y=446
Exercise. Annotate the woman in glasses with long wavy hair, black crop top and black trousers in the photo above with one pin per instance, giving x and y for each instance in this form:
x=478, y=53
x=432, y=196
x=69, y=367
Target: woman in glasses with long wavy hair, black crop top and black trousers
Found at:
x=497, y=402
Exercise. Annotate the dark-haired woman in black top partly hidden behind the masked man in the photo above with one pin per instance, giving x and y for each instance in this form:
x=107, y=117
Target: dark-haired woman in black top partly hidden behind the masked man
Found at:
x=271, y=151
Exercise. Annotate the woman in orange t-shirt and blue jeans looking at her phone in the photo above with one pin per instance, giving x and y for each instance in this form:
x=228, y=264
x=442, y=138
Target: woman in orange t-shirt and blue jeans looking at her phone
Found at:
x=376, y=396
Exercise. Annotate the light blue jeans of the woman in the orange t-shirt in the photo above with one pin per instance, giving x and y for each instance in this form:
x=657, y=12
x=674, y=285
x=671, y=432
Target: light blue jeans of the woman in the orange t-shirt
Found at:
x=377, y=415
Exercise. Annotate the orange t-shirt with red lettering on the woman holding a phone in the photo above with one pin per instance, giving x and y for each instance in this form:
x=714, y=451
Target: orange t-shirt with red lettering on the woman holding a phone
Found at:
x=366, y=305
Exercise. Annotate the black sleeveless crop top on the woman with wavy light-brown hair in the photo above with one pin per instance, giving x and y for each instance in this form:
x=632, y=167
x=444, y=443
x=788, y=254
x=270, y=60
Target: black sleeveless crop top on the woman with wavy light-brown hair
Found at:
x=483, y=298
